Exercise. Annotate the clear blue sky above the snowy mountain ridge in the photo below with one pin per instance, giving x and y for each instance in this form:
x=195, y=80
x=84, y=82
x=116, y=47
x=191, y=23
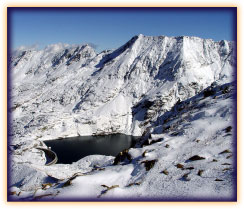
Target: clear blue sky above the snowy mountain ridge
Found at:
x=110, y=28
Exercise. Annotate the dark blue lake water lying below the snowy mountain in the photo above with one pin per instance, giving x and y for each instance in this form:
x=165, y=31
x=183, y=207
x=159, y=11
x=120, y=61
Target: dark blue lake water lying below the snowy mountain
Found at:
x=73, y=149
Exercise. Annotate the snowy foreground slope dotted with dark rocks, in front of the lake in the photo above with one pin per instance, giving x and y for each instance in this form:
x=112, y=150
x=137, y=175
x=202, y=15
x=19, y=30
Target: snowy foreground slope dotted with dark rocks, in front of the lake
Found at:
x=191, y=156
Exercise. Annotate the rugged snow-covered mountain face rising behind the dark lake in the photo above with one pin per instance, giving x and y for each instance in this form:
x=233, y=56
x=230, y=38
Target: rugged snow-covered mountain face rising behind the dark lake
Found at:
x=67, y=90
